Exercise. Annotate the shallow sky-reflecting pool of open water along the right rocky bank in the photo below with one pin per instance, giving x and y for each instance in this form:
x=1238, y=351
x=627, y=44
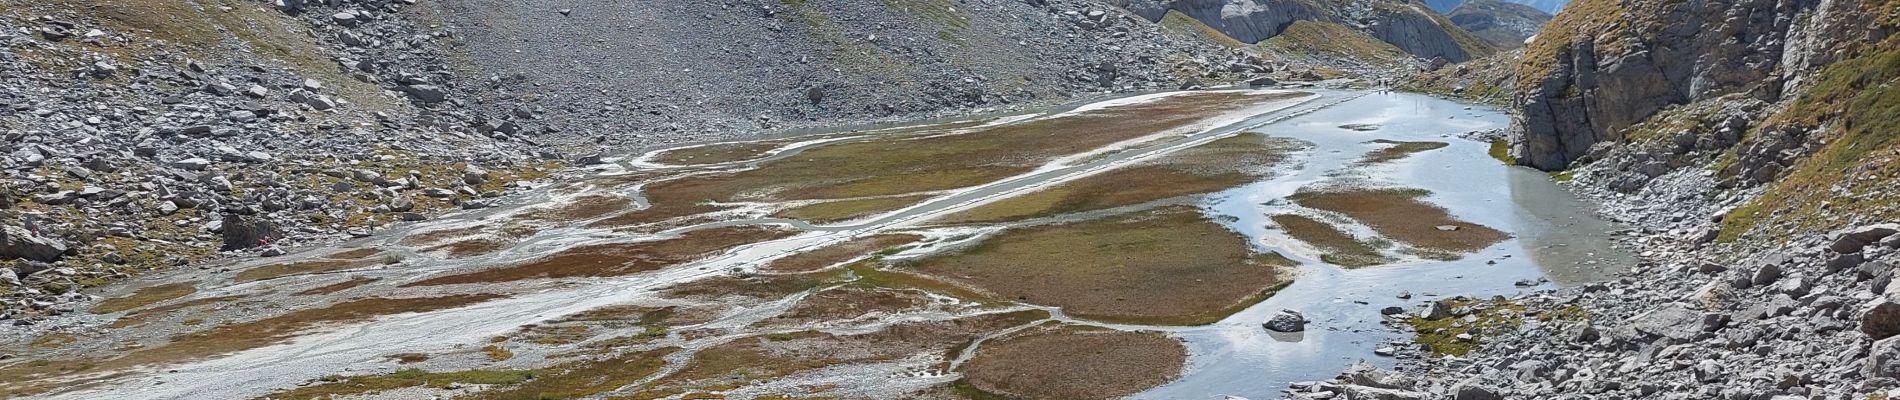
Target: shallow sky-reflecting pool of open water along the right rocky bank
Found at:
x=1555, y=238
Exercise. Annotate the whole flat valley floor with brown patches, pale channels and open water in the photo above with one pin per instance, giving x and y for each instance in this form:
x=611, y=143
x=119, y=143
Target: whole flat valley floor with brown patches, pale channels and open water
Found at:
x=1114, y=249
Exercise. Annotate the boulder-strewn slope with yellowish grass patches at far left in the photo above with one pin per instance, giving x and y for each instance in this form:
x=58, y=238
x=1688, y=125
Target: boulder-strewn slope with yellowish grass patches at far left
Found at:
x=153, y=134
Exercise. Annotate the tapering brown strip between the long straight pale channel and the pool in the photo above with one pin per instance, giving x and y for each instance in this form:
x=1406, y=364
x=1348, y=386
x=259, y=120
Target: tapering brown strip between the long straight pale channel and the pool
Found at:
x=1204, y=170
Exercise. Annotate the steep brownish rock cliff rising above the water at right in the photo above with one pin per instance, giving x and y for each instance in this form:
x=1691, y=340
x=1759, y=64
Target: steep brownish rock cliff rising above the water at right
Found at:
x=1606, y=65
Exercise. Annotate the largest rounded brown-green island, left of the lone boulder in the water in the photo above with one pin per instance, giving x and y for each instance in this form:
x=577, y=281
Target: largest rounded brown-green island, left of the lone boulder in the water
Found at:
x=1168, y=266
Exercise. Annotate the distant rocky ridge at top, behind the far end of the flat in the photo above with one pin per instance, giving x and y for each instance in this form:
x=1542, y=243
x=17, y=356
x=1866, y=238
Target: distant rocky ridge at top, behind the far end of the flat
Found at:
x=1405, y=24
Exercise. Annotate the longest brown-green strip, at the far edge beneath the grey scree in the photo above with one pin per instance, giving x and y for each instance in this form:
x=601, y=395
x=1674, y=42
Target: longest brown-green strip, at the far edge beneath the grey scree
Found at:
x=898, y=166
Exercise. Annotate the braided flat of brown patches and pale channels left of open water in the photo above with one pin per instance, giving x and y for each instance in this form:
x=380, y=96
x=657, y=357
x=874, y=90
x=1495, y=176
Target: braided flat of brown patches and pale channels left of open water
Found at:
x=788, y=268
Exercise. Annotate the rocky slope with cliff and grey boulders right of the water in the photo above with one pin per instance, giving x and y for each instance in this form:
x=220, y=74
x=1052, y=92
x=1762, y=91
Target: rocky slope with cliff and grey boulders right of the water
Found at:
x=1751, y=145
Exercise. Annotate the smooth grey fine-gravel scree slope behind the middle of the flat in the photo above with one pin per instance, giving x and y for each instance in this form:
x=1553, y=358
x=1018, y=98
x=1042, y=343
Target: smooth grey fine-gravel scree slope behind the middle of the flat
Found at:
x=675, y=71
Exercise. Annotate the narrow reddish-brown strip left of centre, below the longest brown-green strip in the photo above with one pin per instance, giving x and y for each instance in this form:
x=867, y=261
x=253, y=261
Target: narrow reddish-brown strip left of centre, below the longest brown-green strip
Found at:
x=618, y=259
